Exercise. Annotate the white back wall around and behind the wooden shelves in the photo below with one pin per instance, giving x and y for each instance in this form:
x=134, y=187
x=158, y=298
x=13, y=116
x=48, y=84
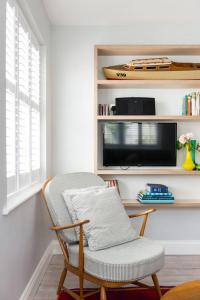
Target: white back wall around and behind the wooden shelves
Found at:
x=72, y=112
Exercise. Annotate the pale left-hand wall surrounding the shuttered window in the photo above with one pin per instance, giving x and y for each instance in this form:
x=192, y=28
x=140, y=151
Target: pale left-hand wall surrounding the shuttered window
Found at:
x=24, y=234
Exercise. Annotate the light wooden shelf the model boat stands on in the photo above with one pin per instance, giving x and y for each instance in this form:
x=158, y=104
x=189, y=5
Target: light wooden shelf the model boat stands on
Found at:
x=147, y=84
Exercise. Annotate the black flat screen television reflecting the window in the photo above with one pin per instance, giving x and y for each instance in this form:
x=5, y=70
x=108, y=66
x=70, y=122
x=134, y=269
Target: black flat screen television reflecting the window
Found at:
x=139, y=144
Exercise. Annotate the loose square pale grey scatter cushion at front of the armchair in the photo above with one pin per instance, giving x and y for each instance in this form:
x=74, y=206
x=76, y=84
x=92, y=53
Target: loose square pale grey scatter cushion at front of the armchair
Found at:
x=109, y=224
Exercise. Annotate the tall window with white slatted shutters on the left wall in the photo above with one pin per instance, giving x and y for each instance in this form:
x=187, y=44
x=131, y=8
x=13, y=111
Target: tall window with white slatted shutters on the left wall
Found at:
x=23, y=107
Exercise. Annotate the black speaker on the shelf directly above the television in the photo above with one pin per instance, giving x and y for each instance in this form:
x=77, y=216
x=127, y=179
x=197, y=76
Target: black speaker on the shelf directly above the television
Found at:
x=135, y=106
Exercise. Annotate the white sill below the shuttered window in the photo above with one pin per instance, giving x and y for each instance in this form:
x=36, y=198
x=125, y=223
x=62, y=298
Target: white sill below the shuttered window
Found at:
x=17, y=199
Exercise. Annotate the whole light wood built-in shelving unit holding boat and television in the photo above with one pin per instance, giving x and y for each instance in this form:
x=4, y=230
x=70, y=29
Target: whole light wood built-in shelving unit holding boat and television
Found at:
x=103, y=84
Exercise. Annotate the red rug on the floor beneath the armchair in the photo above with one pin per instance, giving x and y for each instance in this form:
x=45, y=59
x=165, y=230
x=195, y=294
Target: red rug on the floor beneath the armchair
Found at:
x=124, y=293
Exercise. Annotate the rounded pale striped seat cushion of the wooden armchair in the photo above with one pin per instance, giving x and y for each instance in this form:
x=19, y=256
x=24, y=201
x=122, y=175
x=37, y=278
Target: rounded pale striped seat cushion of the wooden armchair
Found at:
x=126, y=262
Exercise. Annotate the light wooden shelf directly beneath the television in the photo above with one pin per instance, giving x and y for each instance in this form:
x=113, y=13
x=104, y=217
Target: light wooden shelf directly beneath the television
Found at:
x=148, y=171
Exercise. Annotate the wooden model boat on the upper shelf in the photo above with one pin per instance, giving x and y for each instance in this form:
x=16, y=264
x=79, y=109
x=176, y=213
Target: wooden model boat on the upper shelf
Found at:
x=153, y=68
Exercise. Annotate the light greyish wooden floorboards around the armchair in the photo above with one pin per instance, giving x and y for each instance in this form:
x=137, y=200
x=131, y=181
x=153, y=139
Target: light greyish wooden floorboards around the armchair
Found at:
x=178, y=269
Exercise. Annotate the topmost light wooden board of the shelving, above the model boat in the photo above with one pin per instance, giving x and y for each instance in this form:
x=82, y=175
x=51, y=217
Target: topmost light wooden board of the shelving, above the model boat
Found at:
x=160, y=50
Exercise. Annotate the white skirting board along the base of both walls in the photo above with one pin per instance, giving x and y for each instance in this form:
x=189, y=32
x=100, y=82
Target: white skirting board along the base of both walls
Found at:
x=181, y=247
